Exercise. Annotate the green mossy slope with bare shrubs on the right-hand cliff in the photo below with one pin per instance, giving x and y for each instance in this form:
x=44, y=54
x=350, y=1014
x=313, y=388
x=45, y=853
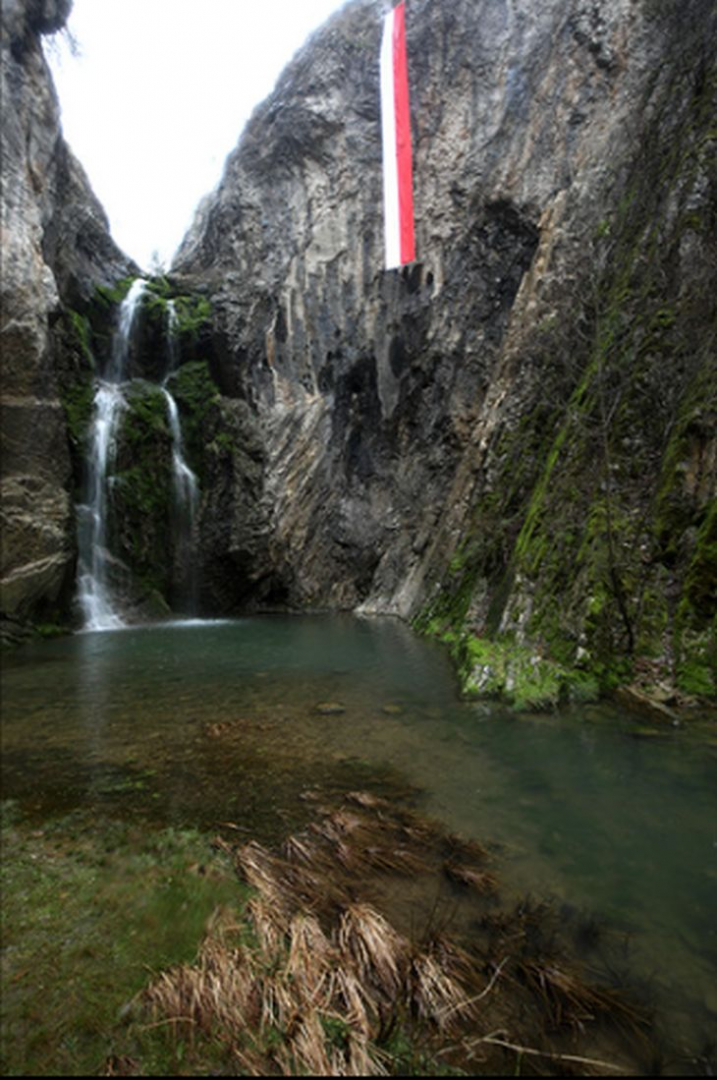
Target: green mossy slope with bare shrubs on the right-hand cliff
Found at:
x=591, y=556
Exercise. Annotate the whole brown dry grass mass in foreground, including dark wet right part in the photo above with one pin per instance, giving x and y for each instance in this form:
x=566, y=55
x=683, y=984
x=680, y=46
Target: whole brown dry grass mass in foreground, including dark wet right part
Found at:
x=316, y=978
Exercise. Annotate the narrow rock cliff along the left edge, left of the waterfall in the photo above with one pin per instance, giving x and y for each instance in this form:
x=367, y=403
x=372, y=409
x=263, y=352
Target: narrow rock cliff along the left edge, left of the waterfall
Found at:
x=56, y=250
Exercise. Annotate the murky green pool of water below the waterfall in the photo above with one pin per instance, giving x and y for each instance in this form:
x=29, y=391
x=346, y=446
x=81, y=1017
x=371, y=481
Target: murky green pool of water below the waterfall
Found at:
x=195, y=725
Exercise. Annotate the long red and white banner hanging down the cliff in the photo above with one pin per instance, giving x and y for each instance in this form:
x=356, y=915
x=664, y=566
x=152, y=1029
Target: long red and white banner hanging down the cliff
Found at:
x=396, y=126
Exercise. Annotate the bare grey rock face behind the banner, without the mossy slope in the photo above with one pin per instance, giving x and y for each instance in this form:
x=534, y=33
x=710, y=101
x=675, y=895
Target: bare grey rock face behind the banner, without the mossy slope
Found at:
x=376, y=397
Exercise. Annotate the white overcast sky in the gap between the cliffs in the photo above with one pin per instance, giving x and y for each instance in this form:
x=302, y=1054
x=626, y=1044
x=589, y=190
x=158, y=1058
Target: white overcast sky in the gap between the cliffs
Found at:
x=159, y=96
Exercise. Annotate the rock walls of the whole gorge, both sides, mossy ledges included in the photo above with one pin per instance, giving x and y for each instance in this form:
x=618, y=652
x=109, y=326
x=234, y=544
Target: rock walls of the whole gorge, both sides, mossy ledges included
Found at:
x=511, y=443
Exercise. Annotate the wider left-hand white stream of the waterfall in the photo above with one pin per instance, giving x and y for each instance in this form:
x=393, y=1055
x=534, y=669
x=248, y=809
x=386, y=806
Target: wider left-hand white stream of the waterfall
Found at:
x=94, y=595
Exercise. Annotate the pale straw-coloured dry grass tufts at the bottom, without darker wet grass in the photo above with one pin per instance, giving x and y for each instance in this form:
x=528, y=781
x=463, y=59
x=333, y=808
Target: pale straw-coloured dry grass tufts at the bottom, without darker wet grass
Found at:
x=296, y=988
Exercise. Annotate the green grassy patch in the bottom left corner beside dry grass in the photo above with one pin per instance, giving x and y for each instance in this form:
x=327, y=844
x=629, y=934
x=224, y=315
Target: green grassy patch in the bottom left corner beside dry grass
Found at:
x=89, y=908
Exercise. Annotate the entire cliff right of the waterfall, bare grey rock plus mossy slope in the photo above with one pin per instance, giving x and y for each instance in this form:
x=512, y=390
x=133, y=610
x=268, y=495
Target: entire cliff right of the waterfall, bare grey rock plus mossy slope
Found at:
x=484, y=437
